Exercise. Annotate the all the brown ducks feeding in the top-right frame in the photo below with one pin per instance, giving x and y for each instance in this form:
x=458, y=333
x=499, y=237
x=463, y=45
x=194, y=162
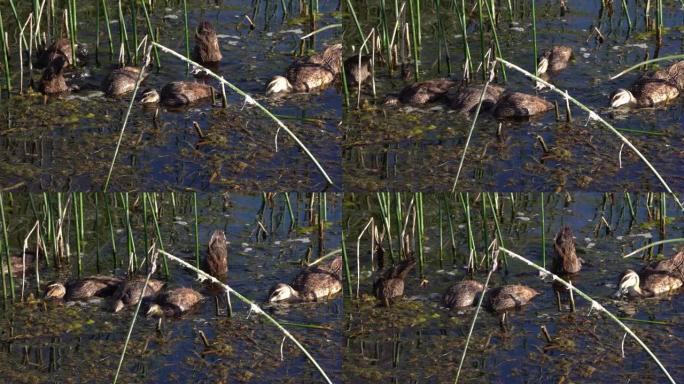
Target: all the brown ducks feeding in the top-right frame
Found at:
x=651, y=89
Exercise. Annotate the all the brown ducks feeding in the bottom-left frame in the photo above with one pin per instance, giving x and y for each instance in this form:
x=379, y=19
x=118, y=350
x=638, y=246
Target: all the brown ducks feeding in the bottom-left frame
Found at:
x=313, y=283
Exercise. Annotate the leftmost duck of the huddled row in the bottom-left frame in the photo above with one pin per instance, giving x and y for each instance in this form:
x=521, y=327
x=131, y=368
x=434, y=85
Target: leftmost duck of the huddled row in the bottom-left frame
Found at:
x=83, y=289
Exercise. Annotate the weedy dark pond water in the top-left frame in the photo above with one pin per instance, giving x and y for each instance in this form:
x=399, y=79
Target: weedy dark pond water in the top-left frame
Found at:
x=68, y=142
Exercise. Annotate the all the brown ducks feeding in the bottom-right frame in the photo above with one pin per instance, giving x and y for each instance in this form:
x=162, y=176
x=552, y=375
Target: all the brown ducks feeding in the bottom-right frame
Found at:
x=662, y=277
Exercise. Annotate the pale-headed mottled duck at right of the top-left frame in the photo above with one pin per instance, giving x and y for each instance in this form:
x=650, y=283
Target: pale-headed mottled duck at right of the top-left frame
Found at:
x=310, y=73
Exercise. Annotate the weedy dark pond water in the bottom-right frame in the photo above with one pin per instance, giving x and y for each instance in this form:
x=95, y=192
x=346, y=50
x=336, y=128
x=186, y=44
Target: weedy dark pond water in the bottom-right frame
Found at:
x=418, y=341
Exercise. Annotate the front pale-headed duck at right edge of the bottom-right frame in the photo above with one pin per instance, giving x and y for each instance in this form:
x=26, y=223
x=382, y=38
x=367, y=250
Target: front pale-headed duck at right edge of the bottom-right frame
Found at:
x=650, y=283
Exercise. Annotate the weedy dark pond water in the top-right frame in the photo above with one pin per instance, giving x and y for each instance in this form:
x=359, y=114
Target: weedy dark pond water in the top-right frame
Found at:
x=408, y=148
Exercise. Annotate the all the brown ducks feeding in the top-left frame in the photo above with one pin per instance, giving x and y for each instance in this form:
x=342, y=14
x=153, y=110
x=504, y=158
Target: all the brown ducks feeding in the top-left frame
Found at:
x=306, y=74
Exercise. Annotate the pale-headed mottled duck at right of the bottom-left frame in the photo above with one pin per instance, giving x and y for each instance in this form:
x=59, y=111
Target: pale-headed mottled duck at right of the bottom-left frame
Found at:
x=311, y=284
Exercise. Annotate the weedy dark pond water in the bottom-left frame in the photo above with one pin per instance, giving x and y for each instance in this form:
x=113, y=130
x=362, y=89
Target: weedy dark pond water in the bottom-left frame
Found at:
x=52, y=342
